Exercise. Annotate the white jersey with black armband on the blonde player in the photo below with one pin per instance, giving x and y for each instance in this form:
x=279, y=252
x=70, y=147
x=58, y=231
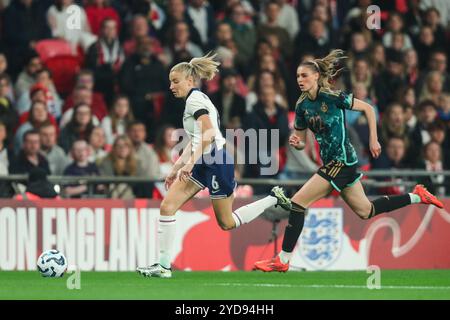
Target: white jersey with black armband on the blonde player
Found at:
x=197, y=104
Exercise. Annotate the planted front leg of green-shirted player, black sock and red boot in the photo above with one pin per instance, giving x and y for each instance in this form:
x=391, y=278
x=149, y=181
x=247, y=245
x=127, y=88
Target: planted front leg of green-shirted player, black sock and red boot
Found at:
x=314, y=189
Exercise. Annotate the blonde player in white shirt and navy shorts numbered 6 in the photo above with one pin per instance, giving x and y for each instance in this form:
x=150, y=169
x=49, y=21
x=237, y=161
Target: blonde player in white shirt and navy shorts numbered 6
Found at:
x=195, y=169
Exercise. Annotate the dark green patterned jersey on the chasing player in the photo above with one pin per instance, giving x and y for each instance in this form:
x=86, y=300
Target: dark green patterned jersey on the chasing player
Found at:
x=325, y=116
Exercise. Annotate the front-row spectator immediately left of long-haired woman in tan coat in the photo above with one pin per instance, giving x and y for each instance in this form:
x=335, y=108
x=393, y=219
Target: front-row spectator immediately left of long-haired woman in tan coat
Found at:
x=80, y=167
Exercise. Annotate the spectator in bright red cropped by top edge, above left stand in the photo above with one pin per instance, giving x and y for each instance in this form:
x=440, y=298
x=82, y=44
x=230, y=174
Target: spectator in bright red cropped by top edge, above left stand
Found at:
x=99, y=10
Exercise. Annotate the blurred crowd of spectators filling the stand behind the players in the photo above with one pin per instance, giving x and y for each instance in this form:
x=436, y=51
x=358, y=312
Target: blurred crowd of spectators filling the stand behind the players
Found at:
x=84, y=84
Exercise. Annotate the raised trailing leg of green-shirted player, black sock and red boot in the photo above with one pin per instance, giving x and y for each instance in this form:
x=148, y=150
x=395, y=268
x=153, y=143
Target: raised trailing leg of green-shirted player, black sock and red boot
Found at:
x=356, y=198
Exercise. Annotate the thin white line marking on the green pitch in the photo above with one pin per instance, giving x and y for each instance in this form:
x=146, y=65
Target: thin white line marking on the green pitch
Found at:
x=336, y=286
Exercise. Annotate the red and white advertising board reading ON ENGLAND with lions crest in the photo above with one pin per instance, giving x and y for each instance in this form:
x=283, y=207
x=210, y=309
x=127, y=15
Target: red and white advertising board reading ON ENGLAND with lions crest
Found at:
x=116, y=235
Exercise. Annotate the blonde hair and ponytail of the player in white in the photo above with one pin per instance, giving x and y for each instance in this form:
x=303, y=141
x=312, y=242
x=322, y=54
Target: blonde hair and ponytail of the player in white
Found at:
x=199, y=68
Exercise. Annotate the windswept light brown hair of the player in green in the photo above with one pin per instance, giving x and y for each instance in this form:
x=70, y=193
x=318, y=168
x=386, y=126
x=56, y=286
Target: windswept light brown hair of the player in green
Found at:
x=327, y=67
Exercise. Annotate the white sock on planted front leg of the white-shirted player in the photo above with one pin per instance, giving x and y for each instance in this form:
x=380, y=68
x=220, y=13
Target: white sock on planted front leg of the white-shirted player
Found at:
x=166, y=235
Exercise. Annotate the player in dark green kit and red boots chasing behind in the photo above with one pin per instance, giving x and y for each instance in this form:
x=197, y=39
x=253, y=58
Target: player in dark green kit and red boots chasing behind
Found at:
x=322, y=110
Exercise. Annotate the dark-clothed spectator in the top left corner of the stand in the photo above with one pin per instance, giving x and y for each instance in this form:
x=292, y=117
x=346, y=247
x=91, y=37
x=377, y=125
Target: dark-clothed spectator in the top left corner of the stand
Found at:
x=23, y=24
